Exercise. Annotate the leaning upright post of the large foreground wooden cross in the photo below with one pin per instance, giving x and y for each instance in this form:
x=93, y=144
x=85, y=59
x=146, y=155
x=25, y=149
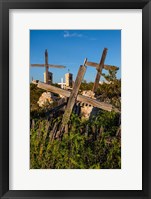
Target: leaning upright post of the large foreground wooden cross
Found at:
x=72, y=99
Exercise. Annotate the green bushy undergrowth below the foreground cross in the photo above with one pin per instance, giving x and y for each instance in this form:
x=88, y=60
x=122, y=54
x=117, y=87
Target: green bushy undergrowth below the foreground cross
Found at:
x=91, y=144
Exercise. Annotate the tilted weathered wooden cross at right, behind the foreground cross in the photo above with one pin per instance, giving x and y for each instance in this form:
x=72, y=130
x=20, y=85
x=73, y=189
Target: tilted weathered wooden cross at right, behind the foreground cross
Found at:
x=99, y=67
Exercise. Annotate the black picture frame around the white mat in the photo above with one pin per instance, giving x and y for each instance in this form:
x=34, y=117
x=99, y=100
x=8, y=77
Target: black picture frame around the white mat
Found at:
x=5, y=5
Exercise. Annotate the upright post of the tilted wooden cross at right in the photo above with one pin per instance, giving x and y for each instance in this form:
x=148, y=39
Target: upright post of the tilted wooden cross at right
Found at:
x=100, y=67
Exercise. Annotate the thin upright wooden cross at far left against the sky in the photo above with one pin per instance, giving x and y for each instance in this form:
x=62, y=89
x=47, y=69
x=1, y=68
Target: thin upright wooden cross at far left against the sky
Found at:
x=46, y=65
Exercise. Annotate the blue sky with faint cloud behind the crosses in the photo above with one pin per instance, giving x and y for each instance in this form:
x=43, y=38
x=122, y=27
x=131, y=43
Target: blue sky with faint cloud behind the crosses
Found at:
x=70, y=48
